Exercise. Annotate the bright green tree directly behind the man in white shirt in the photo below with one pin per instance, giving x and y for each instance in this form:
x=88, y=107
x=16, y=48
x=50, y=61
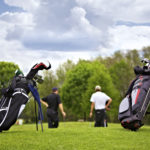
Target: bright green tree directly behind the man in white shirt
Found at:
x=102, y=77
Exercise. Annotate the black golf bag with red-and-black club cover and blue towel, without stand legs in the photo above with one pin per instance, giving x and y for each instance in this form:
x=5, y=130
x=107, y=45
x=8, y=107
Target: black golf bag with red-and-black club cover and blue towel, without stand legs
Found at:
x=15, y=97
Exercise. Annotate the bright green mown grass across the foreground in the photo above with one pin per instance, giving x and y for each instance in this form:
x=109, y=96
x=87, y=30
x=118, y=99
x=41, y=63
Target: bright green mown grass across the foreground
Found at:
x=75, y=136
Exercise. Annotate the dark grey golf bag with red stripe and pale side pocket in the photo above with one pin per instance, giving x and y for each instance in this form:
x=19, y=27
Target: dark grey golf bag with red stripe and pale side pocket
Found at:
x=133, y=107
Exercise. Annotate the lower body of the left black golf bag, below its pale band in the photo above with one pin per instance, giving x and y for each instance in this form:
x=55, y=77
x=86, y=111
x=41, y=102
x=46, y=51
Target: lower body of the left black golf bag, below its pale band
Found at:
x=11, y=108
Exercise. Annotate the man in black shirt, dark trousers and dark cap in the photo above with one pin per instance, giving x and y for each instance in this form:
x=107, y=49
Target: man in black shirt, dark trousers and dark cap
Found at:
x=52, y=102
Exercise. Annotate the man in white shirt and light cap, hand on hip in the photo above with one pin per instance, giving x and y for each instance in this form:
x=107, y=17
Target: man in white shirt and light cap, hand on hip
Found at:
x=100, y=101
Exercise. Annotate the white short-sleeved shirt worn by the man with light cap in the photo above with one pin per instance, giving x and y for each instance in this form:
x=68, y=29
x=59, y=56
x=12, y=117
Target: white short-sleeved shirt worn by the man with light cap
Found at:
x=100, y=99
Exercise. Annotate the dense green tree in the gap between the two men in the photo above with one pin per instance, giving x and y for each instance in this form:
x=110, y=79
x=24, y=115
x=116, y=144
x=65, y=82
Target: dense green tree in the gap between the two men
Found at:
x=74, y=86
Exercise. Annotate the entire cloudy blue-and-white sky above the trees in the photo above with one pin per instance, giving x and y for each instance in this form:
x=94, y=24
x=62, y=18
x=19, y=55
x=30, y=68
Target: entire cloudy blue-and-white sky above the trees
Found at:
x=32, y=31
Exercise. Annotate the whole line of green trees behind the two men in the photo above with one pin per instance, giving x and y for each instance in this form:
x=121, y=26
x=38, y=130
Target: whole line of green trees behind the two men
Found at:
x=76, y=82
